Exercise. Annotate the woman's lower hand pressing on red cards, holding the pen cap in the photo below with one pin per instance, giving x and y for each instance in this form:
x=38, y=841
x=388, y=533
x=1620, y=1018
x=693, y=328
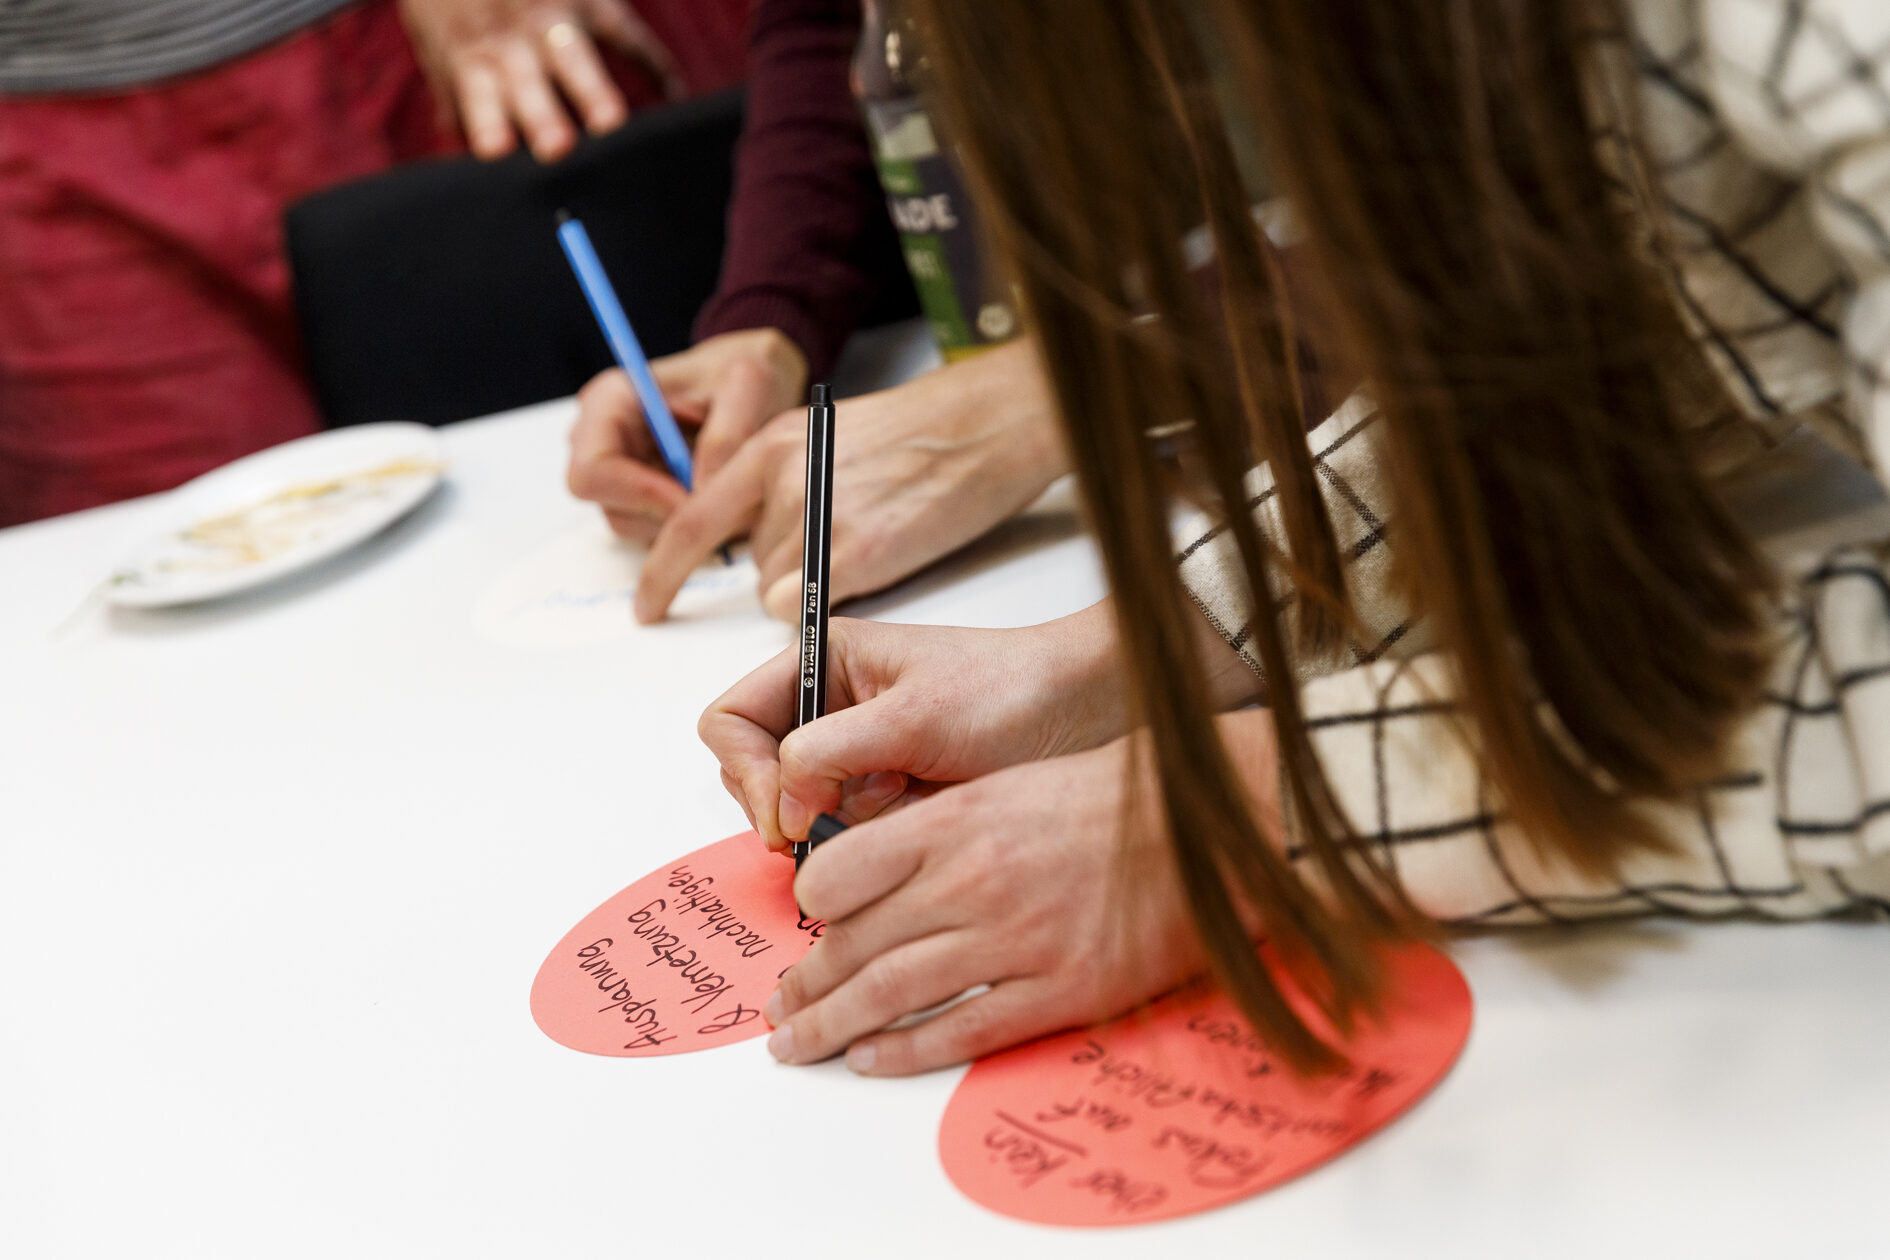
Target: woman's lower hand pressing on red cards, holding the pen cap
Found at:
x=1037, y=881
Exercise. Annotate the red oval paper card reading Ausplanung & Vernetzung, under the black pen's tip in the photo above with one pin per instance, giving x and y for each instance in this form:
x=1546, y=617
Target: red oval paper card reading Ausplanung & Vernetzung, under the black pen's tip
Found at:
x=681, y=961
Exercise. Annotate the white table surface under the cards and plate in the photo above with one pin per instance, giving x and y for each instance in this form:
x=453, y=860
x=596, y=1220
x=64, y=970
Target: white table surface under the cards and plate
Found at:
x=277, y=876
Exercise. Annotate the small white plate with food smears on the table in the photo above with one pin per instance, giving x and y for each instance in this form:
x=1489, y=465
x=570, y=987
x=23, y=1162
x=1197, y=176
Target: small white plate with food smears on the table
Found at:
x=277, y=513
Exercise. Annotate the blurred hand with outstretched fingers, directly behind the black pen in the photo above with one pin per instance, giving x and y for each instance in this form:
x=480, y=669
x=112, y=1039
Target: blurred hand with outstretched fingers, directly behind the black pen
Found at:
x=919, y=471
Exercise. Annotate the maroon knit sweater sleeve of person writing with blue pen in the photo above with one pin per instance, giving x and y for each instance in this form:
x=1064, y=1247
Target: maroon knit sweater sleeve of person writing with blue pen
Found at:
x=808, y=203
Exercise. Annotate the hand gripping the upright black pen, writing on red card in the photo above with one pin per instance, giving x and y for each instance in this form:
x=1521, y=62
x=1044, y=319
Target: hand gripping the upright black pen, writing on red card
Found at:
x=914, y=707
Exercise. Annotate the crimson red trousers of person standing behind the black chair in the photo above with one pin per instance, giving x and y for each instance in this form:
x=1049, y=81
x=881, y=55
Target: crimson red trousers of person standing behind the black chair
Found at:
x=146, y=328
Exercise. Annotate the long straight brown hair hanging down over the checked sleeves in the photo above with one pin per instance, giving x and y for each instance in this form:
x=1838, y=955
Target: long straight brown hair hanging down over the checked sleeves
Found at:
x=1534, y=383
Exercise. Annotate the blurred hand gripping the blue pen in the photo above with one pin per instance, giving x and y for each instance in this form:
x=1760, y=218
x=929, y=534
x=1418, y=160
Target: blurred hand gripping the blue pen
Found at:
x=723, y=390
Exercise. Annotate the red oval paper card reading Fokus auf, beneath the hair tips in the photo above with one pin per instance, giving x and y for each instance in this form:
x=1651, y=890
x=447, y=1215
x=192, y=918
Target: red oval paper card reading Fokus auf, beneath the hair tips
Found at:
x=1180, y=1108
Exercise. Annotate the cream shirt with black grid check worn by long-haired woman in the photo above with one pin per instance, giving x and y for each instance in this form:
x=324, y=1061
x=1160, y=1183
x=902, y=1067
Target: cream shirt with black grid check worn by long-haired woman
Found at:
x=1768, y=124
